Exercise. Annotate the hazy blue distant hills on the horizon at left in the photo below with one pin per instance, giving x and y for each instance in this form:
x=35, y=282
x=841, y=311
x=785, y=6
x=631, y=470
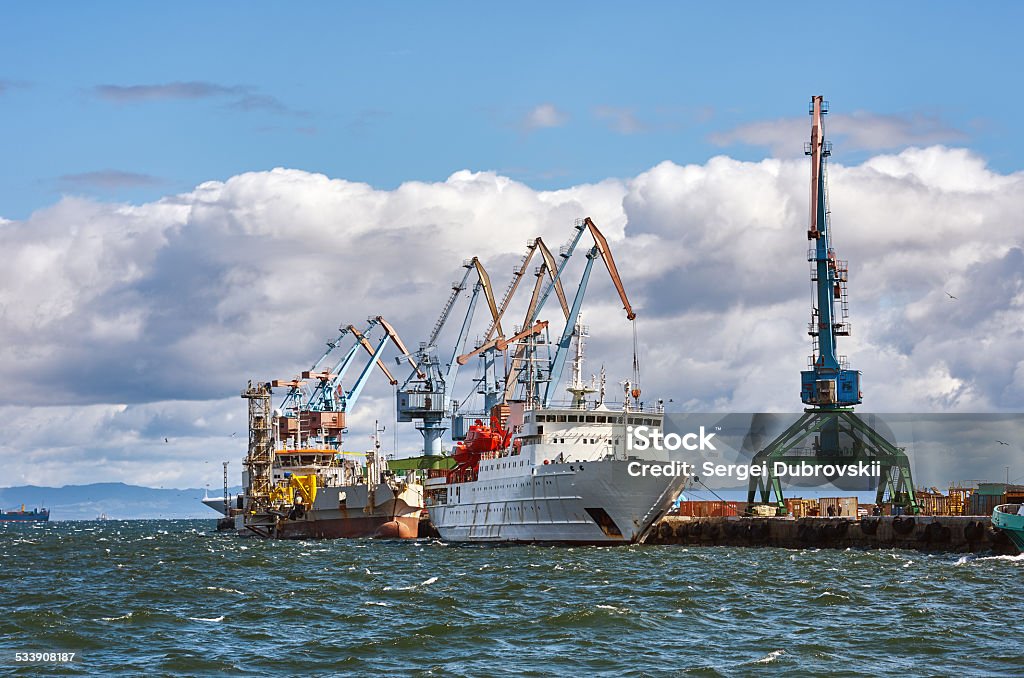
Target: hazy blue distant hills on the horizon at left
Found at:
x=116, y=500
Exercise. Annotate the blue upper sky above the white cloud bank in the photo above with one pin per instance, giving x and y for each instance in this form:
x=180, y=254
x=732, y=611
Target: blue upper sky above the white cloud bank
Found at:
x=389, y=93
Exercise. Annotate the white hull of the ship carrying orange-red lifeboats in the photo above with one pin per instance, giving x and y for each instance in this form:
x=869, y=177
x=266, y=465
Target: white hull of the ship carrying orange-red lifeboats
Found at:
x=596, y=502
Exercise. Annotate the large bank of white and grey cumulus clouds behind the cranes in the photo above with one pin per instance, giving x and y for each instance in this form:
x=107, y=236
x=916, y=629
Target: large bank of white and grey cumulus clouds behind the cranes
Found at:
x=125, y=325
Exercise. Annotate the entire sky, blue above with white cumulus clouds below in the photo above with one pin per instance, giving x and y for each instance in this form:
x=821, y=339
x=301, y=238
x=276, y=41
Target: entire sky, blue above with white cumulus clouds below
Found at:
x=193, y=196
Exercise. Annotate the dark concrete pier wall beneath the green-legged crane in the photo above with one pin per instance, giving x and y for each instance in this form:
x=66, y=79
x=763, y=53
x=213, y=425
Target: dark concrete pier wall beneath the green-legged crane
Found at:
x=937, y=534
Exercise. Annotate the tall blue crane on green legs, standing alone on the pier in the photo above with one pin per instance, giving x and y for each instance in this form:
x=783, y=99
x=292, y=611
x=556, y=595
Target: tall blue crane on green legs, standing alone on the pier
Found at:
x=830, y=433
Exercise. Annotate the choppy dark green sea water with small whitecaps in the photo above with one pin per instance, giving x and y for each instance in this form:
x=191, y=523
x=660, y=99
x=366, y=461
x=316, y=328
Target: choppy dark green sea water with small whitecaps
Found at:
x=176, y=598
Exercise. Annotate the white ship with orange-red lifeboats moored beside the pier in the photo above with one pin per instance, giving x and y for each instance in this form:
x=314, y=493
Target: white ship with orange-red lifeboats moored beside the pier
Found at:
x=560, y=475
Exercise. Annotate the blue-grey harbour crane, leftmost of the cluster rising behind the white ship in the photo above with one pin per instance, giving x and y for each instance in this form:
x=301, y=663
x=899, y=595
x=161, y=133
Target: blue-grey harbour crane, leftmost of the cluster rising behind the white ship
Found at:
x=424, y=396
